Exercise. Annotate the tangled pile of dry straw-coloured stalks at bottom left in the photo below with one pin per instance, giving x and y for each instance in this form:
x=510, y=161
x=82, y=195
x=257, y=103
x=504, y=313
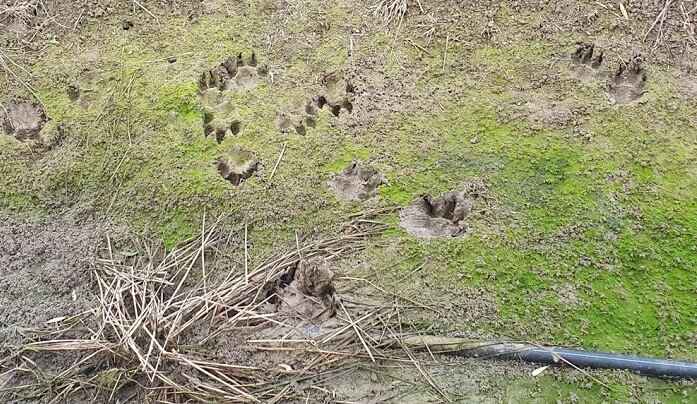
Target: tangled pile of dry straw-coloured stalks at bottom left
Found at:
x=147, y=337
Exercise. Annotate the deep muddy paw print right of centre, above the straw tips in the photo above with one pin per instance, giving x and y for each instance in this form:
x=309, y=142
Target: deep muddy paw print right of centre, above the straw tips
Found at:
x=443, y=216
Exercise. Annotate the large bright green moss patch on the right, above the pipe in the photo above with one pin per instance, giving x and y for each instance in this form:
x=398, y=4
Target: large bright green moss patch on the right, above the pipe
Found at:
x=565, y=203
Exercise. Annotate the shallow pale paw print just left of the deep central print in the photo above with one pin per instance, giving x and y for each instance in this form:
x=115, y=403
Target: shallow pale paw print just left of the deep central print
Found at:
x=357, y=182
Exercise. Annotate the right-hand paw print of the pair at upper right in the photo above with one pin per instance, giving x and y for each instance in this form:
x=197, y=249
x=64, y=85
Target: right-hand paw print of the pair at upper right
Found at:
x=629, y=82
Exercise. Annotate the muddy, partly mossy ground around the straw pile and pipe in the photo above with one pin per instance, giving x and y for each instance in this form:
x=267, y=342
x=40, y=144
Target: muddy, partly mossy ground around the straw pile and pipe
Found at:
x=540, y=157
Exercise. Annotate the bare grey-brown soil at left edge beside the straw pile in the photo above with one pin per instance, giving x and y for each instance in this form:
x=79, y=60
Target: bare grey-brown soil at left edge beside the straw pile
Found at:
x=44, y=269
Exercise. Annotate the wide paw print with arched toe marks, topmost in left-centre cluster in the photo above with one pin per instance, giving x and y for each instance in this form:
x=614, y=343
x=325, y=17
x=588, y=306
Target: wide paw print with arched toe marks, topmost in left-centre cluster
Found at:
x=234, y=73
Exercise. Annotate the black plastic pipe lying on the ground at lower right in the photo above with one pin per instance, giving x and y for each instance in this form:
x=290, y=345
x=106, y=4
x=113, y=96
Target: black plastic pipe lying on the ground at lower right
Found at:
x=663, y=368
